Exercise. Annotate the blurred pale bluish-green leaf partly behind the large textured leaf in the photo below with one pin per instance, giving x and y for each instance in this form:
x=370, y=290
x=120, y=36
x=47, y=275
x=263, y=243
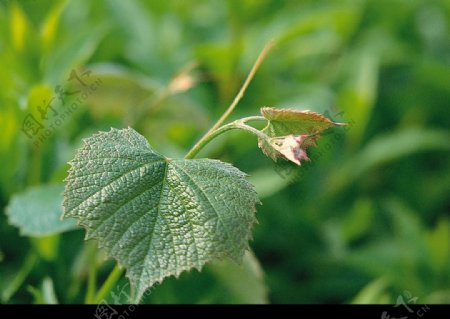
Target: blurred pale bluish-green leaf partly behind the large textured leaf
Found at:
x=37, y=211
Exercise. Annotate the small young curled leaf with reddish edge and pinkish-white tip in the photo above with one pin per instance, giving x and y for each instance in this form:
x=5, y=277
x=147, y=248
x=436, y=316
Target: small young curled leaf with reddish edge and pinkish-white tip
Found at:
x=291, y=132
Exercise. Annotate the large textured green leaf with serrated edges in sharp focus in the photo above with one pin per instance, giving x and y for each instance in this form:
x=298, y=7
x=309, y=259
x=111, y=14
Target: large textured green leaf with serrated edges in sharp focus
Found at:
x=158, y=216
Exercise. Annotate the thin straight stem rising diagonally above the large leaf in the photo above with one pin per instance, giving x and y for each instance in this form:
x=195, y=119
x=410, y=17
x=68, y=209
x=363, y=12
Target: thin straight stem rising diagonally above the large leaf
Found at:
x=194, y=150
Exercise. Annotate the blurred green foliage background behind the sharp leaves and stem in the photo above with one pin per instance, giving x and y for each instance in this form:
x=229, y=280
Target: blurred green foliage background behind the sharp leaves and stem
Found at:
x=367, y=221
